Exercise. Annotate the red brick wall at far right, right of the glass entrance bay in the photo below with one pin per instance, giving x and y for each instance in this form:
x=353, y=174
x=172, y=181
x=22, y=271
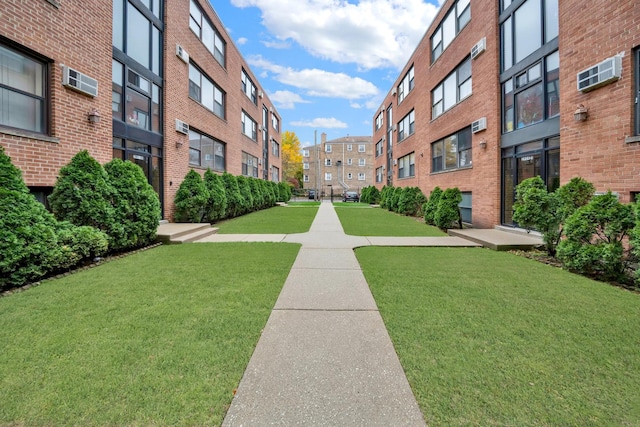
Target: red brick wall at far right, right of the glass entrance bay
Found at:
x=596, y=149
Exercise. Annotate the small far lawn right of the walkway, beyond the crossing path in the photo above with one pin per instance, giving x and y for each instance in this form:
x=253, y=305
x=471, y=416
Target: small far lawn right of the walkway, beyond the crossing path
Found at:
x=359, y=221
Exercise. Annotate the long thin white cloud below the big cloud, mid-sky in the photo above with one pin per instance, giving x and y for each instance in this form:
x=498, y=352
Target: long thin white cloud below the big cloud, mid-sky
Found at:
x=317, y=82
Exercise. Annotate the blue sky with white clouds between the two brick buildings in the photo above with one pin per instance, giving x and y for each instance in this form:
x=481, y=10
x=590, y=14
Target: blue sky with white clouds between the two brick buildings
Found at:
x=326, y=64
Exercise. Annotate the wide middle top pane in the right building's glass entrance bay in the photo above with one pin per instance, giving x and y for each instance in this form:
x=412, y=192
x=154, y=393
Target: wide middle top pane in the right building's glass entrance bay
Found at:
x=528, y=29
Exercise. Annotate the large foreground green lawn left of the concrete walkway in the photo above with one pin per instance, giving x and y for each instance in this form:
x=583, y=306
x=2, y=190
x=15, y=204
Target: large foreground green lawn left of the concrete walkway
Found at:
x=161, y=337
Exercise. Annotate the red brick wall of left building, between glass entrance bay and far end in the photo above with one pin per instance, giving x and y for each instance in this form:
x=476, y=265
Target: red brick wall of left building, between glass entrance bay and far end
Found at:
x=180, y=106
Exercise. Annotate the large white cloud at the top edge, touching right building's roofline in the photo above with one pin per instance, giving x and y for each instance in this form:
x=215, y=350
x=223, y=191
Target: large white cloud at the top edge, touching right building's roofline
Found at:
x=371, y=33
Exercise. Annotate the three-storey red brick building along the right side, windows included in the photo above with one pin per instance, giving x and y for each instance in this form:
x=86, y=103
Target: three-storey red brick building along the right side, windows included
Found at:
x=496, y=92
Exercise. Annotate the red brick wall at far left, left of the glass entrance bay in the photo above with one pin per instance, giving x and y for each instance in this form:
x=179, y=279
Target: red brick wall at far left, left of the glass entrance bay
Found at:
x=79, y=36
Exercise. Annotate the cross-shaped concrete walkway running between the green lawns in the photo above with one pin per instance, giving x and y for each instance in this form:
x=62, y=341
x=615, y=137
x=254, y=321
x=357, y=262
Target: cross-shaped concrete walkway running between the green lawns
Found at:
x=325, y=357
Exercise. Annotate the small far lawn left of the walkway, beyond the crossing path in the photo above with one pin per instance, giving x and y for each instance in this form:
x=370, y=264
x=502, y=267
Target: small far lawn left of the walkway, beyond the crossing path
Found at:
x=276, y=220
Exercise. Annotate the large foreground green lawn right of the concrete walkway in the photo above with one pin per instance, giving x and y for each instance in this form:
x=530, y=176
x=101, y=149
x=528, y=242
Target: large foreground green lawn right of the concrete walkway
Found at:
x=489, y=338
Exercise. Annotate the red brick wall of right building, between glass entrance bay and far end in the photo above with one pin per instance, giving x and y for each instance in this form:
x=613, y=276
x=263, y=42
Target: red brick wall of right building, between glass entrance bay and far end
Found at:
x=483, y=178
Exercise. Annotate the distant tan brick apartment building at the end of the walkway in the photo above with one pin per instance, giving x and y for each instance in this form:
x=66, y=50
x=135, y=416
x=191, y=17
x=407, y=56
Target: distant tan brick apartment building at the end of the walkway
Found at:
x=343, y=164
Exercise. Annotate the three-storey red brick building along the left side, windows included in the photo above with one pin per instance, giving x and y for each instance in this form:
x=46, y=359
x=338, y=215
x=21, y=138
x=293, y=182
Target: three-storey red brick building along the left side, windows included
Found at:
x=182, y=95
